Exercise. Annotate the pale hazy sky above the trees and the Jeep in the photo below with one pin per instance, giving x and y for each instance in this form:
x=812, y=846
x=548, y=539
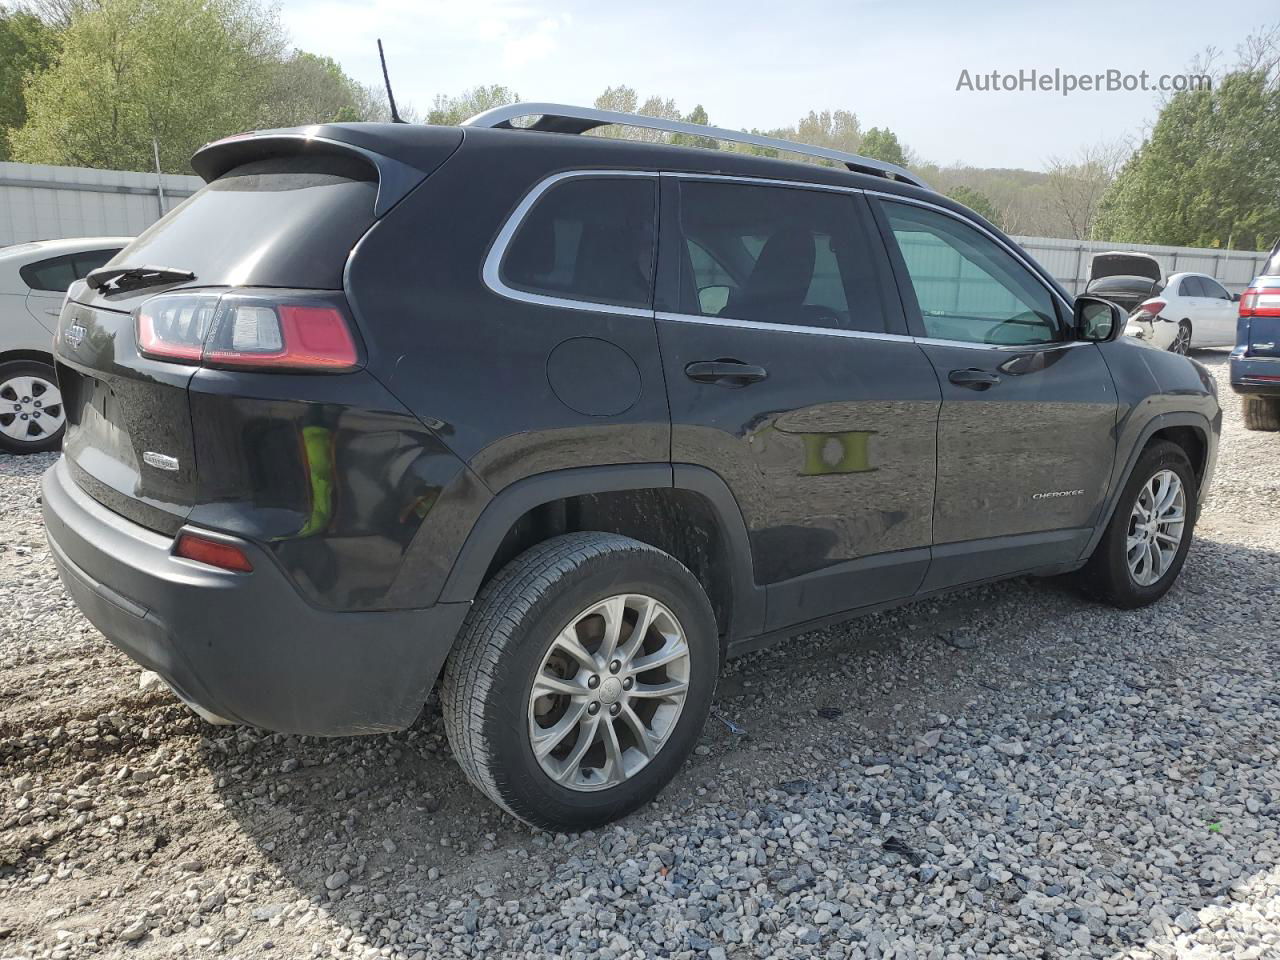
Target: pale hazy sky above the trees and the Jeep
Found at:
x=766, y=65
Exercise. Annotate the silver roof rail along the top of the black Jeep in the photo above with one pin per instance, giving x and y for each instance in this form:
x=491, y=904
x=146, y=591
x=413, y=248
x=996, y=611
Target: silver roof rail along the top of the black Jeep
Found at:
x=560, y=118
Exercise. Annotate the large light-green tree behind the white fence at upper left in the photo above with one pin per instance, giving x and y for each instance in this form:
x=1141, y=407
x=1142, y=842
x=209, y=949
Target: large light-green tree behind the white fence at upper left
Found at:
x=180, y=72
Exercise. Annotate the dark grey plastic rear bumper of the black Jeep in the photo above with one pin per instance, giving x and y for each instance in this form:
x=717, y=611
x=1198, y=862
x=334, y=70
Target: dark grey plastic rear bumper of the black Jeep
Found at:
x=246, y=647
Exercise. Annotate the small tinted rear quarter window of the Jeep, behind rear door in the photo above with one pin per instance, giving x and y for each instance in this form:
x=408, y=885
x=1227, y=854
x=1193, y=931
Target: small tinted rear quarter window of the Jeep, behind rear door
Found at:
x=588, y=239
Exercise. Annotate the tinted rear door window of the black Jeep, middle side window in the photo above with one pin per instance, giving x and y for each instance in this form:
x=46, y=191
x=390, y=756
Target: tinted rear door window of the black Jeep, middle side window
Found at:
x=776, y=255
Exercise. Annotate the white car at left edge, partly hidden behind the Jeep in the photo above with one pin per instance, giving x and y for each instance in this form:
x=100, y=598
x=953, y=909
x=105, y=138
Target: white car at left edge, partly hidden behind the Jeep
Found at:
x=34, y=281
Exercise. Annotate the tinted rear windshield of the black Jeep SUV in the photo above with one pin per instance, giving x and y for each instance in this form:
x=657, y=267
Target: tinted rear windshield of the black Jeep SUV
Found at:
x=285, y=222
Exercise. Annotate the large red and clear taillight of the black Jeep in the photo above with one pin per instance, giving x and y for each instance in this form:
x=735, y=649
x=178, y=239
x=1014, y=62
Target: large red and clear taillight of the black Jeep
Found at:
x=249, y=332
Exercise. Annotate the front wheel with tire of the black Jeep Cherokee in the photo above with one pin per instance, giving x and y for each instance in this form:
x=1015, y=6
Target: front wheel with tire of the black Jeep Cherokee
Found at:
x=1145, y=546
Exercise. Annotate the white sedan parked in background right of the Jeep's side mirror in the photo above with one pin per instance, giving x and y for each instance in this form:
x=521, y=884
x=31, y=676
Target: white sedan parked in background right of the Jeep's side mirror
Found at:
x=1192, y=310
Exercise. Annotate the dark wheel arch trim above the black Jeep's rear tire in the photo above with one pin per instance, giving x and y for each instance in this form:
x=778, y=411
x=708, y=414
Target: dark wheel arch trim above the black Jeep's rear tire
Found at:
x=685, y=510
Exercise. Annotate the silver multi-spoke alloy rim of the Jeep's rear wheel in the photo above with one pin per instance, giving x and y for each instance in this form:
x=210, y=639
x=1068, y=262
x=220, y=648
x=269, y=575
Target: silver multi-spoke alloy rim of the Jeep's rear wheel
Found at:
x=609, y=693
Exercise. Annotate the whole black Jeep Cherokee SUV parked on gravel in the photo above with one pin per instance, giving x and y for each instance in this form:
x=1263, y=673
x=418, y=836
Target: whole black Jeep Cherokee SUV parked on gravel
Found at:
x=563, y=422
